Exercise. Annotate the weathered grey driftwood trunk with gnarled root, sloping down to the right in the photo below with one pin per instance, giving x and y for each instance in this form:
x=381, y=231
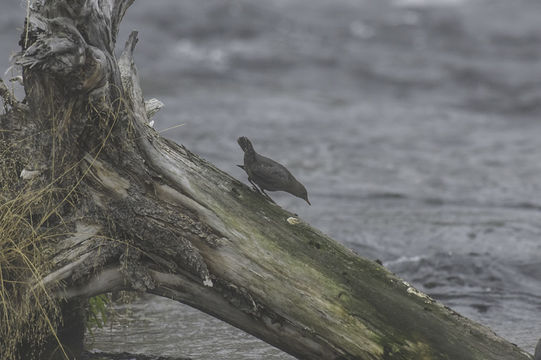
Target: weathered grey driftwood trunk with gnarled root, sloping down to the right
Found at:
x=139, y=212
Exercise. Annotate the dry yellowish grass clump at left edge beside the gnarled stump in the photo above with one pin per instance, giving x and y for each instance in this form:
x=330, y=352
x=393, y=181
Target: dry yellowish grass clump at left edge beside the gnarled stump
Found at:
x=28, y=314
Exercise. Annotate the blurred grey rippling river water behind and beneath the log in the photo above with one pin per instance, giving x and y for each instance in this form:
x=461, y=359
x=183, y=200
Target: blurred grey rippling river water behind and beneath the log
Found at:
x=414, y=124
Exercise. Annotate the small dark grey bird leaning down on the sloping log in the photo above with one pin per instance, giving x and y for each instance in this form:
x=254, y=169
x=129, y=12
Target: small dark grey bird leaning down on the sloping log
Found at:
x=267, y=174
